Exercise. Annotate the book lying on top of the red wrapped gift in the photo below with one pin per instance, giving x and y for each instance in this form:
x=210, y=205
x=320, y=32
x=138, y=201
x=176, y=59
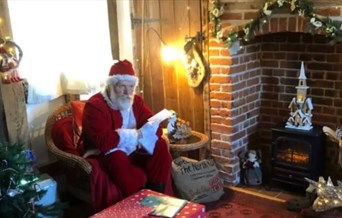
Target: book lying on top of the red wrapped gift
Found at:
x=164, y=206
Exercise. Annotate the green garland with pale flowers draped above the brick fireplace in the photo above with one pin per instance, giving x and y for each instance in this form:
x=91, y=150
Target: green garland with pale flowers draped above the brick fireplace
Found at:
x=244, y=33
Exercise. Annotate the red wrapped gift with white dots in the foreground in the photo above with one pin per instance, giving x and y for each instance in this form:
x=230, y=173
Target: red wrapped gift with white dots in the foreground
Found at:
x=132, y=207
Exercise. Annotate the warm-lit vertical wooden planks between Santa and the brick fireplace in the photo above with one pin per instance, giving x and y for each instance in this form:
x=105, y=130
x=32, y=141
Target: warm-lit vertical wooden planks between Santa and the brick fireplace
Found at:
x=164, y=84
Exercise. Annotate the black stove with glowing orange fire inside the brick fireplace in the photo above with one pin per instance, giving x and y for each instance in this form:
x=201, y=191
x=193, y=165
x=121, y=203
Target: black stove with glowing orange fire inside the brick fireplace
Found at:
x=296, y=154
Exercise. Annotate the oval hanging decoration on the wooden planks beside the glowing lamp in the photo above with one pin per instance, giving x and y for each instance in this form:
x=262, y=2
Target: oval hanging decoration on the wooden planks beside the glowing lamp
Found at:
x=194, y=65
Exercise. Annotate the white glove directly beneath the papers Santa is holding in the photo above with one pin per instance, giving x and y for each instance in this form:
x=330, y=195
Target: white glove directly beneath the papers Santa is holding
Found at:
x=148, y=136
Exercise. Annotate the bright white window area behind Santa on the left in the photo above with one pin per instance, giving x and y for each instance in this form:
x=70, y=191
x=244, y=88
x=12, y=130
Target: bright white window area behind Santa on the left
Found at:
x=66, y=45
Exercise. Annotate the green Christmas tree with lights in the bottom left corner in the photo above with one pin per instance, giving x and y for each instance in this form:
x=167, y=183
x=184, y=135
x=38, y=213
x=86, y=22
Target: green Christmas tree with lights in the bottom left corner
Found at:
x=19, y=188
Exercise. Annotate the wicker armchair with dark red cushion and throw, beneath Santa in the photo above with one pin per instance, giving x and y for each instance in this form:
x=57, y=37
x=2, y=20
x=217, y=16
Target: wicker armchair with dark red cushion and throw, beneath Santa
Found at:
x=85, y=178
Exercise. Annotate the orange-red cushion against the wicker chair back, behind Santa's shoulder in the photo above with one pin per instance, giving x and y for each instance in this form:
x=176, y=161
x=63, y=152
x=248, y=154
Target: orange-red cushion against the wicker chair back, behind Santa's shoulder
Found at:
x=77, y=108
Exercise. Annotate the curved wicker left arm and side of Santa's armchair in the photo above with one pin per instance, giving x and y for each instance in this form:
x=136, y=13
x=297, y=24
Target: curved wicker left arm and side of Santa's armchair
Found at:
x=76, y=168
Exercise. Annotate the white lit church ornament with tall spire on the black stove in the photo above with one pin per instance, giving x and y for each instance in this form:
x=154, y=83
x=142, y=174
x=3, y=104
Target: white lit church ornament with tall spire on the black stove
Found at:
x=300, y=106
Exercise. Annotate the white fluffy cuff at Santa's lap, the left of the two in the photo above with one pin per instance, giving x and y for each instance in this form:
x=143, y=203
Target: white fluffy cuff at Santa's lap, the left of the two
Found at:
x=128, y=140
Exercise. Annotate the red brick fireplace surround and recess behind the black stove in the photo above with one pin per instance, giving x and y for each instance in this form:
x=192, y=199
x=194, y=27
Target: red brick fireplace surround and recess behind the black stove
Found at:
x=250, y=91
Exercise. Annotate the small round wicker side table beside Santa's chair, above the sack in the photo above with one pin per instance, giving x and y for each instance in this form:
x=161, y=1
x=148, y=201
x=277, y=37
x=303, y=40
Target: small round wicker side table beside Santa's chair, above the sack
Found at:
x=196, y=141
